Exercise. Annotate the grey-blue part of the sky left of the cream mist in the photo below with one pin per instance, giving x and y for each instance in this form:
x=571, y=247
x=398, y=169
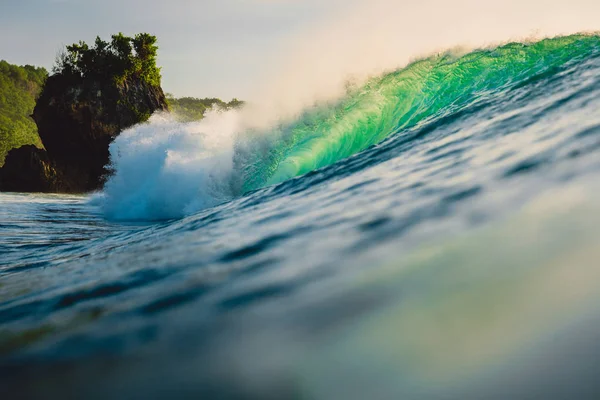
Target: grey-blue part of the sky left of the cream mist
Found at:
x=206, y=47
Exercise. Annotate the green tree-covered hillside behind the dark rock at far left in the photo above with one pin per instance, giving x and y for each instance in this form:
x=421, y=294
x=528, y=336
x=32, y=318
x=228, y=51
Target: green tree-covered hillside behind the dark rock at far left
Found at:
x=19, y=88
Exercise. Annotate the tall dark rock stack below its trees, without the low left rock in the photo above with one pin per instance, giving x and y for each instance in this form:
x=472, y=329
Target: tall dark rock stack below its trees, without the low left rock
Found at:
x=78, y=122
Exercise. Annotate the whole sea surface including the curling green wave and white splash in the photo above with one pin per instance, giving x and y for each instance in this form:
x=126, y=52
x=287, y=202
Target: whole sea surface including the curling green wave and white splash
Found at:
x=434, y=234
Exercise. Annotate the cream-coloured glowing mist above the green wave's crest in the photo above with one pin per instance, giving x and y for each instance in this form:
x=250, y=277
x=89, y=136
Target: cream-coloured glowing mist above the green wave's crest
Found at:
x=368, y=38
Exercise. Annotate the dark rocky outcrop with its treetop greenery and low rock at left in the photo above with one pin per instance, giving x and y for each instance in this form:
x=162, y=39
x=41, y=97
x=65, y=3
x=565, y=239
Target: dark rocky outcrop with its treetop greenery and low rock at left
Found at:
x=96, y=93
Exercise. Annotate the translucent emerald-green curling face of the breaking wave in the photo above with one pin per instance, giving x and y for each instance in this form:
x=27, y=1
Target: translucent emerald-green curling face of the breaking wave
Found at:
x=421, y=92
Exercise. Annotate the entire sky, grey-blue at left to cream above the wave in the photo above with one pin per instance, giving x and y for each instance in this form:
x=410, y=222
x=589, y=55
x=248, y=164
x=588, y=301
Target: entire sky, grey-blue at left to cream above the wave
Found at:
x=236, y=48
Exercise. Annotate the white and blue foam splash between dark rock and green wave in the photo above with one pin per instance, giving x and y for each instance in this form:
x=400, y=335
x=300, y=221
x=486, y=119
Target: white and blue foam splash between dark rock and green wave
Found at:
x=166, y=169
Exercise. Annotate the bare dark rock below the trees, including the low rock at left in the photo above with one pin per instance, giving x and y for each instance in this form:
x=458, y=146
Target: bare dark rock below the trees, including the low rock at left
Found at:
x=77, y=120
